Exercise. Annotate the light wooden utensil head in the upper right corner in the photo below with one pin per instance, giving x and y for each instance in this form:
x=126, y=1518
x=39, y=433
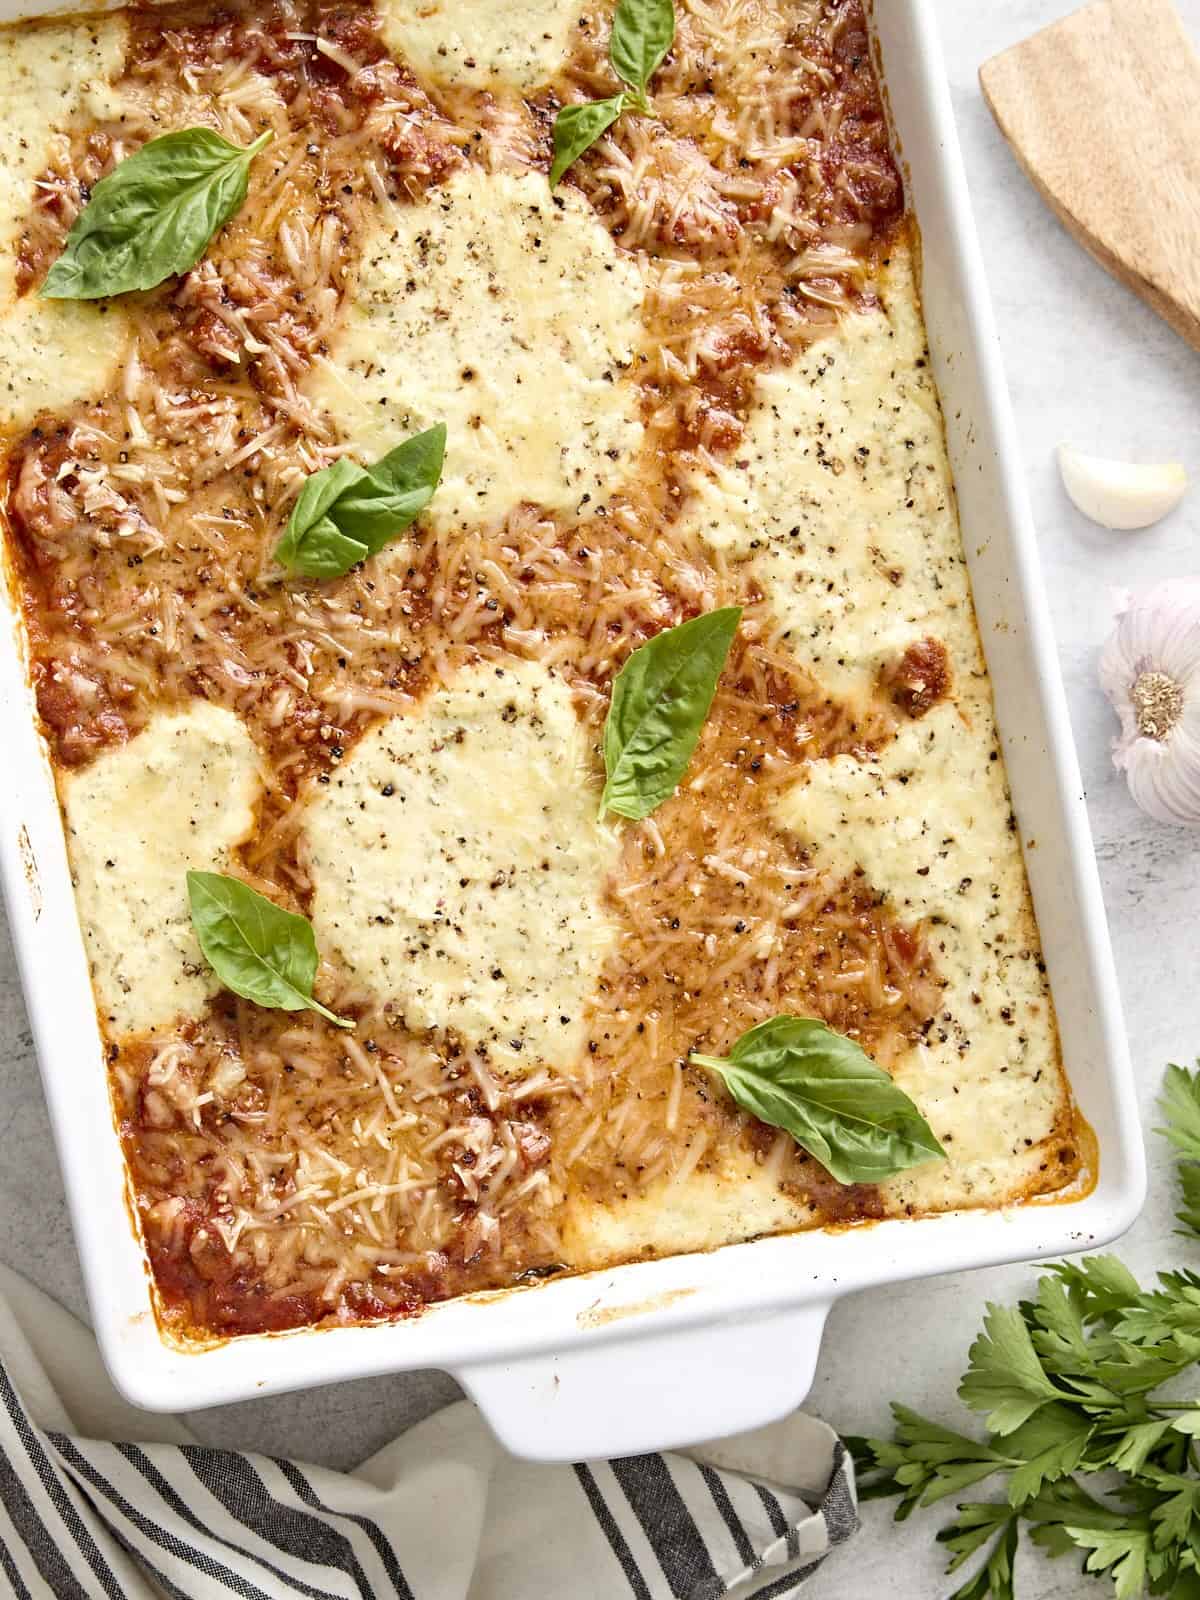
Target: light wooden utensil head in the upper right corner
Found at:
x=1103, y=113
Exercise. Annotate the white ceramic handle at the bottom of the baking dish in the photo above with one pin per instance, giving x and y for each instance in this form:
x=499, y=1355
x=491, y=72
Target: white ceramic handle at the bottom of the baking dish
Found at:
x=625, y=1398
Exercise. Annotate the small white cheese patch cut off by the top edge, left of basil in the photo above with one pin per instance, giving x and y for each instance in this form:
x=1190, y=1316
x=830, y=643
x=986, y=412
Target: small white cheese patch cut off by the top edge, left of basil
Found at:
x=518, y=44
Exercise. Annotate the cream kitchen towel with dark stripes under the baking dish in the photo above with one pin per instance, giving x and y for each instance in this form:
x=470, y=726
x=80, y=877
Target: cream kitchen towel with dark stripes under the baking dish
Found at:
x=441, y=1514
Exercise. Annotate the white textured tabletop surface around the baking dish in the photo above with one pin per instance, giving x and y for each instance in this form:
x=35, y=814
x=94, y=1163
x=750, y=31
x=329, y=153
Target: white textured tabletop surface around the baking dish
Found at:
x=1086, y=362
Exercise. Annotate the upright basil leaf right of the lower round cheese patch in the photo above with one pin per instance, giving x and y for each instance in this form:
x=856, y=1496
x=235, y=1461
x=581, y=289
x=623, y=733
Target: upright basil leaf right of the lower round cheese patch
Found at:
x=660, y=702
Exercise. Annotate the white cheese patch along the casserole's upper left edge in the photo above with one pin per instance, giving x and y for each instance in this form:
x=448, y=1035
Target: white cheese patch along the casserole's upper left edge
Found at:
x=52, y=353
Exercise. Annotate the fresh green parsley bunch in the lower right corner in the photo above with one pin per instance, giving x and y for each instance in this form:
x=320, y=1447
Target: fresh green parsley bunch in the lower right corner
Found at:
x=1092, y=1458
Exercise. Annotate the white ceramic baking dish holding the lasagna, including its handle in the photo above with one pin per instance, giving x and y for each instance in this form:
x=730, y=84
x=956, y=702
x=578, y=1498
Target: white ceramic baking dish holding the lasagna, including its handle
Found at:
x=697, y=1346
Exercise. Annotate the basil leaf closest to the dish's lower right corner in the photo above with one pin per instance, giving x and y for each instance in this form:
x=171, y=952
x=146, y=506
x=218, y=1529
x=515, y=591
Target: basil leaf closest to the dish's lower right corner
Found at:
x=801, y=1076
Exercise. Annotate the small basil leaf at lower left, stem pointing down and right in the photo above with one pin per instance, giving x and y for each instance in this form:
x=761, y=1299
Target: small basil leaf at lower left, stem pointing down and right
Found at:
x=255, y=948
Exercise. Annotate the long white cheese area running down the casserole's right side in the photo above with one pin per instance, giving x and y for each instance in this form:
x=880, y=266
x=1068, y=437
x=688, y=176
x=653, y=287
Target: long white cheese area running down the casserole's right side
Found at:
x=849, y=511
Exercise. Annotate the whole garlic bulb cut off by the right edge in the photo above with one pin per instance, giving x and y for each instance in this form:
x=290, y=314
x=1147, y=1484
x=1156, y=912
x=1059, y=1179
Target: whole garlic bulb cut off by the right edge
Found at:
x=1151, y=673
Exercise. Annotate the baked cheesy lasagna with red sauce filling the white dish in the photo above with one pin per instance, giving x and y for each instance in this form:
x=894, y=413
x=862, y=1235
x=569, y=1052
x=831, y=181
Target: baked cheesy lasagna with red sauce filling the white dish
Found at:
x=692, y=375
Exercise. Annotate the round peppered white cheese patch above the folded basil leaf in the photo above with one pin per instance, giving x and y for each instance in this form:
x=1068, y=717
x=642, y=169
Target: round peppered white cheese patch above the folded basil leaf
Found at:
x=510, y=316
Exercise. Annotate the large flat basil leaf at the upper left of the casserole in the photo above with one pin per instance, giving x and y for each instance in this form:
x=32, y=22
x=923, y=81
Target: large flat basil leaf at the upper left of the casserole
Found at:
x=154, y=215
